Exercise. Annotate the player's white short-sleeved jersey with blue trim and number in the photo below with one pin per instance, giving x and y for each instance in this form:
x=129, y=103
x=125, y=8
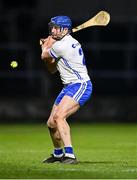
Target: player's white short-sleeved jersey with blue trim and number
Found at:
x=70, y=60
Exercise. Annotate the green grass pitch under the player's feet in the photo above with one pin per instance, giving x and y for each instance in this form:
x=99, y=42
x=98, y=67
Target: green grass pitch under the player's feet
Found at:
x=104, y=151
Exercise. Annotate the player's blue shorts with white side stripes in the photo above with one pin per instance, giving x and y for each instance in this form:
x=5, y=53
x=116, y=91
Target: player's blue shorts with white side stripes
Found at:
x=80, y=92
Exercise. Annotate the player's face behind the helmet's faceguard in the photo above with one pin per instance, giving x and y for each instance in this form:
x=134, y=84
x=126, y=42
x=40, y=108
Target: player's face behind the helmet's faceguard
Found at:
x=57, y=32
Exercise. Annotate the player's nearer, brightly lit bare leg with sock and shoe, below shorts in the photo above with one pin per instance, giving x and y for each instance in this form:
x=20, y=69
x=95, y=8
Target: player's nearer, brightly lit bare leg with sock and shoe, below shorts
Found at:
x=66, y=107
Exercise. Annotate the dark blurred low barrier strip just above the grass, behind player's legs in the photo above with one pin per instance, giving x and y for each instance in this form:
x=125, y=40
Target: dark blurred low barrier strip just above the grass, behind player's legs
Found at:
x=99, y=109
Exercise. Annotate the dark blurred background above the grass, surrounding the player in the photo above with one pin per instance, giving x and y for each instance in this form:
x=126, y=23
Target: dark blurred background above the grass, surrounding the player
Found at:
x=28, y=92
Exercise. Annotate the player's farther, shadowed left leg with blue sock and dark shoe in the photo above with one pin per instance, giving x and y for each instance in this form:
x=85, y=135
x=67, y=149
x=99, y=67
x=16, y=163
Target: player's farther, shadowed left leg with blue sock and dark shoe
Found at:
x=56, y=139
